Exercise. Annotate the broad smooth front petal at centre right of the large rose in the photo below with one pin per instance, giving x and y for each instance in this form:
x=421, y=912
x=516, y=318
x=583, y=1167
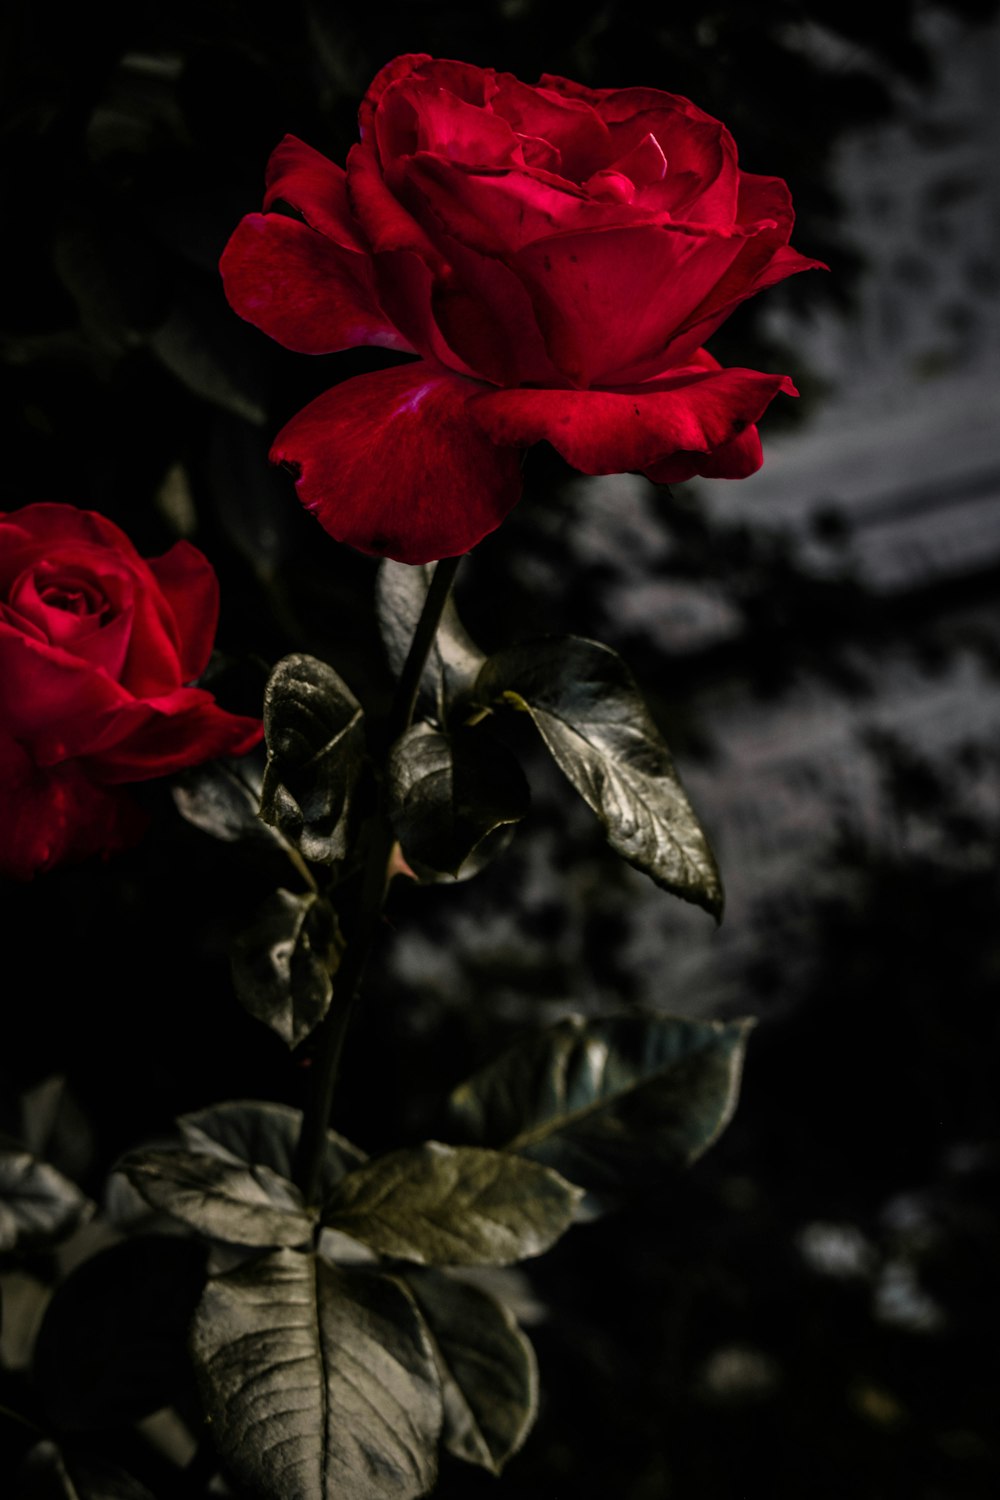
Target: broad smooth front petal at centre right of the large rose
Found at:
x=611, y=299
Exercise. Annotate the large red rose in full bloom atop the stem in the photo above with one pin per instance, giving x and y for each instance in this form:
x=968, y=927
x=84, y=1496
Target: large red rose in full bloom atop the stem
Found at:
x=555, y=256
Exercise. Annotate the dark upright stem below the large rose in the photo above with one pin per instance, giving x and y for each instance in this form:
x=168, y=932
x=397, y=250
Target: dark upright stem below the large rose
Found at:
x=326, y=1064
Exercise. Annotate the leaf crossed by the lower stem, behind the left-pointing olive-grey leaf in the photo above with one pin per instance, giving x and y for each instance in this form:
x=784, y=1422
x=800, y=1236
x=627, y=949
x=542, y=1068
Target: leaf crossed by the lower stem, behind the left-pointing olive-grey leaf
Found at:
x=253, y=1133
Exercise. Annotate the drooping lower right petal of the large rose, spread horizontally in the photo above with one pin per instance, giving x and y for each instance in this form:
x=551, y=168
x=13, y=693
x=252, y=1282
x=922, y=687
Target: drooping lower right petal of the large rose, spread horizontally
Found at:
x=698, y=410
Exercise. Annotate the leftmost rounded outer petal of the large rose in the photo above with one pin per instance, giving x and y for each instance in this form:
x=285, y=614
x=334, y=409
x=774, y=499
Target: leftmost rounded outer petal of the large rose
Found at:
x=302, y=289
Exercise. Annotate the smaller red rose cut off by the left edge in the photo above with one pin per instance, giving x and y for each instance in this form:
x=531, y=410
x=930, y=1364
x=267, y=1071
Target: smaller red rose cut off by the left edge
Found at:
x=95, y=650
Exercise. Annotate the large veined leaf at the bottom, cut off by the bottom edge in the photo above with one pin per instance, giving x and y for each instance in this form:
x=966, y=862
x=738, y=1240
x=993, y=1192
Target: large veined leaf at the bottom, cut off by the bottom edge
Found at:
x=320, y=1384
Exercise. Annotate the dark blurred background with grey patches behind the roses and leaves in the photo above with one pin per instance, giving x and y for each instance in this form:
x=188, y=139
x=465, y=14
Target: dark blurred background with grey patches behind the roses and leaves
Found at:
x=813, y=1310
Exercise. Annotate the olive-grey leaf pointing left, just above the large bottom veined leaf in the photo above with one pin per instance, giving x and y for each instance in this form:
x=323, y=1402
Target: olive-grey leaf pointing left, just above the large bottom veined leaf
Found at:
x=229, y=1202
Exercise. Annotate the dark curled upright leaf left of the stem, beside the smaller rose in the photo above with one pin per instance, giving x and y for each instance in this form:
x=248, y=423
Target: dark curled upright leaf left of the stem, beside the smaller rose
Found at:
x=316, y=752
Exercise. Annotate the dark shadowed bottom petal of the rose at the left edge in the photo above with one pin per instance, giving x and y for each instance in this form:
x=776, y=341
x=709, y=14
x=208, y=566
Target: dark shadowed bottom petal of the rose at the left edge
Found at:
x=58, y=817
